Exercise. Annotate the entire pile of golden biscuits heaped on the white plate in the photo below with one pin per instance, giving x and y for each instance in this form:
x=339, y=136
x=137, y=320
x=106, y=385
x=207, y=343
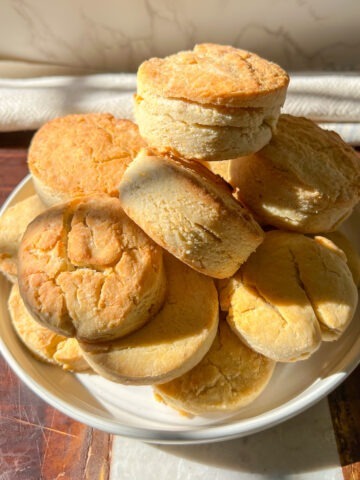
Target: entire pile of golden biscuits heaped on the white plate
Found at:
x=148, y=260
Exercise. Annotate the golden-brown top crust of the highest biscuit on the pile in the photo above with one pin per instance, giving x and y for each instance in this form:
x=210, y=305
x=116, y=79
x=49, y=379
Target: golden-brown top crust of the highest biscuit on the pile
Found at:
x=214, y=74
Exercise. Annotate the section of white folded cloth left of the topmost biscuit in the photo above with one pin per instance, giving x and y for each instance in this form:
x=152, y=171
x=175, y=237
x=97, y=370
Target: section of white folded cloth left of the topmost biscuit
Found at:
x=26, y=104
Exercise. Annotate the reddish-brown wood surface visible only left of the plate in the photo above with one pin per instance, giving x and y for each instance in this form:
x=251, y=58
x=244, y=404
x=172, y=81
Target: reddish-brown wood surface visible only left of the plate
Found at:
x=36, y=441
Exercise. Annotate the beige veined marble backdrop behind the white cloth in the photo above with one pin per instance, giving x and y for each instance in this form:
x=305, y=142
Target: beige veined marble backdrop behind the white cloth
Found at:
x=116, y=35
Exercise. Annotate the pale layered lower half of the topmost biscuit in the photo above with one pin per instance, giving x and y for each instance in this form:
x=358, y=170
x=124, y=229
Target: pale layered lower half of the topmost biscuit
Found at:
x=202, y=132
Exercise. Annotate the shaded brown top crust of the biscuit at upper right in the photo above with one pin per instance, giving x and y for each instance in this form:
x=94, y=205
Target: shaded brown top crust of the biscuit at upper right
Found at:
x=316, y=157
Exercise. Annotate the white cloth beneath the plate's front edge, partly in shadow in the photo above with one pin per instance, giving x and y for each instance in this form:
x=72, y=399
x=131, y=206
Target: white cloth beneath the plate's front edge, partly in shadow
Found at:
x=303, y=448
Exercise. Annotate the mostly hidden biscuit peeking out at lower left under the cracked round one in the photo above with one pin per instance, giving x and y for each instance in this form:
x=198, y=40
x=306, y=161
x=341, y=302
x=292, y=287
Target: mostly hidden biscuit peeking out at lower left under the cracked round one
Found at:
x=44, y=344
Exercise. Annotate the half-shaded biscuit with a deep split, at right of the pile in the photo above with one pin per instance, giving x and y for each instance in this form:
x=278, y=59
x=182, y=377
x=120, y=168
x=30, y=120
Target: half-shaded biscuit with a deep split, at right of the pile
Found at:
x=292, y=293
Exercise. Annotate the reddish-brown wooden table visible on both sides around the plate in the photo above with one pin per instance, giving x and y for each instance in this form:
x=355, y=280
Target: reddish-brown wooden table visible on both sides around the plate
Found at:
x=38, y=442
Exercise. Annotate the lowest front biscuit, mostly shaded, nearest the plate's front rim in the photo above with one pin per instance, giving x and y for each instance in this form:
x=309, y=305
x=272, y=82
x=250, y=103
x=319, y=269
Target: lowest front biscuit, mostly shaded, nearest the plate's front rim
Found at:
x=229, y=377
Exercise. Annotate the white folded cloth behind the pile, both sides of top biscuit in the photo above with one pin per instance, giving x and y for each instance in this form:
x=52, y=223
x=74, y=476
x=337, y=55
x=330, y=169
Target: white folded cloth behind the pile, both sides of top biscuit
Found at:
x=331, y=99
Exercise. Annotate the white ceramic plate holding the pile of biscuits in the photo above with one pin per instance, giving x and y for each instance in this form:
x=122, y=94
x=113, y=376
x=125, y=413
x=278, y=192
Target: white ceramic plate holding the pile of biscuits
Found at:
x=133, y=412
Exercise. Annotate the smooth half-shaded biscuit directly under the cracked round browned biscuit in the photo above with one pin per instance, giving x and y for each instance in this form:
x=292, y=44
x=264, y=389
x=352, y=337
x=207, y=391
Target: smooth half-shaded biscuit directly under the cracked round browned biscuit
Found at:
x=173, y=342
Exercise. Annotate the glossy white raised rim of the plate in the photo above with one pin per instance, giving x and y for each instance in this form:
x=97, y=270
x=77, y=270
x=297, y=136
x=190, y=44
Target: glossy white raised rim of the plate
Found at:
x=199, y=434
